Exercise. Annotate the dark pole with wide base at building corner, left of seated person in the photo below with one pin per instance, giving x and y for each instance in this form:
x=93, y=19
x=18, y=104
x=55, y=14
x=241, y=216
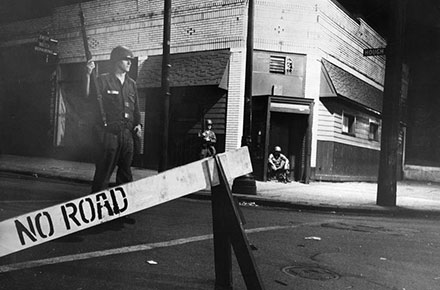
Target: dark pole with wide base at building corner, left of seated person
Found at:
x=246, y=184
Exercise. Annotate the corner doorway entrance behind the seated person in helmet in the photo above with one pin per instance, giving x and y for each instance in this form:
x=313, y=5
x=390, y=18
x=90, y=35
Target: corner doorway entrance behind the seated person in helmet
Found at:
x=285, y=122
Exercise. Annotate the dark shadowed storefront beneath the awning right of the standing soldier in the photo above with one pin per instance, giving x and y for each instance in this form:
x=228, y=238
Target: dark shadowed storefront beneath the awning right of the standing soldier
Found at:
x=189, y=108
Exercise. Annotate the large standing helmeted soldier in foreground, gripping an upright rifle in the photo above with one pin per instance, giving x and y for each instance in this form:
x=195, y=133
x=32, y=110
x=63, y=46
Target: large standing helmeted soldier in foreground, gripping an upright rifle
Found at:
x=119, y=119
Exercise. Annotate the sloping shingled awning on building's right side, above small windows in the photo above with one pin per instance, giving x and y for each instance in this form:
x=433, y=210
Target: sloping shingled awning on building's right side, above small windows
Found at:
x=338, y=83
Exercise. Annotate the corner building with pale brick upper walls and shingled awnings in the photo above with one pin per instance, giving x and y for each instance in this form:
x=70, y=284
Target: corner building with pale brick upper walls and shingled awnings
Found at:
x=314, y=93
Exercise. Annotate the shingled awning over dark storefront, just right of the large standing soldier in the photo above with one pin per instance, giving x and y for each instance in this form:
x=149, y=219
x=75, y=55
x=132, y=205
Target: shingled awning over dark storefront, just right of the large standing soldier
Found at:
x=187, y=69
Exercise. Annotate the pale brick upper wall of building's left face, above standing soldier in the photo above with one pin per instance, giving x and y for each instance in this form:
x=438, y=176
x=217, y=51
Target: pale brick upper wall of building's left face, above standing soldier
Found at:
x=196, y=25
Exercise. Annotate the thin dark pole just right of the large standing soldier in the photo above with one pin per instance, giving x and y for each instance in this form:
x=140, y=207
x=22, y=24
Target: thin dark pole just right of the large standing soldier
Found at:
x=165, y=82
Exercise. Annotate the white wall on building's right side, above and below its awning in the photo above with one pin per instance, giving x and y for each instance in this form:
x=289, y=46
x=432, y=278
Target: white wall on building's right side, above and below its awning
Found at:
x=342, y=41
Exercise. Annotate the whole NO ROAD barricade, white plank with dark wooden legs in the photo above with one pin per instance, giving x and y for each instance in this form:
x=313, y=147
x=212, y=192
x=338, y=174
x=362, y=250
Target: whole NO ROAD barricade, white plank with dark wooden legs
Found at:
x=215, y=173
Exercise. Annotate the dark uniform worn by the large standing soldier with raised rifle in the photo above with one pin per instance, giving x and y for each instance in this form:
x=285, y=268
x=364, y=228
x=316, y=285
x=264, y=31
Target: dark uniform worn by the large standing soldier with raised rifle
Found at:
x=115, y=141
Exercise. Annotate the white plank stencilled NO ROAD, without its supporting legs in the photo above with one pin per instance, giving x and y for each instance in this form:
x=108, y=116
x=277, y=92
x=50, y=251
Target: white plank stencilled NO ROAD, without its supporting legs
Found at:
x=47, y=224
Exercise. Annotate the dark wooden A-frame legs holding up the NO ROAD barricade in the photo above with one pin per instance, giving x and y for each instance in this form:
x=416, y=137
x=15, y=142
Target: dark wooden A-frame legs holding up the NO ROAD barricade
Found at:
x=228, y=230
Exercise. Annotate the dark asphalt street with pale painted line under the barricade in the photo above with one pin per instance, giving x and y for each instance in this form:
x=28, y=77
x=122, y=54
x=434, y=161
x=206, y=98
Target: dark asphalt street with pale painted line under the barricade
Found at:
x=170, y=246
